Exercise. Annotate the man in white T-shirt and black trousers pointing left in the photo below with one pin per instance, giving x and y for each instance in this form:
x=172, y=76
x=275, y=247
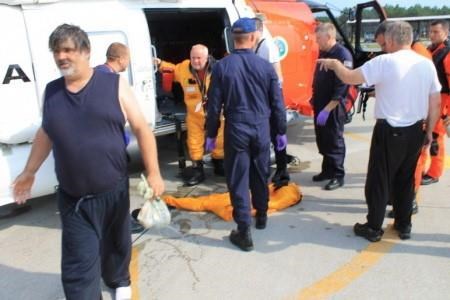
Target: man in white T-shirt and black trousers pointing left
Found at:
x=407, y=89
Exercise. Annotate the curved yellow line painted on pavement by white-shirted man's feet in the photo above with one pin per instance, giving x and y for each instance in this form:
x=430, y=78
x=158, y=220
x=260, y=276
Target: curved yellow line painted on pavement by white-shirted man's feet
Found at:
x=356, y=267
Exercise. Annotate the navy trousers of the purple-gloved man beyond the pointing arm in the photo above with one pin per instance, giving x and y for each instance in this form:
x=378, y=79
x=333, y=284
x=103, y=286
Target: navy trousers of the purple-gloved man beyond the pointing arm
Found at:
x=331, y=144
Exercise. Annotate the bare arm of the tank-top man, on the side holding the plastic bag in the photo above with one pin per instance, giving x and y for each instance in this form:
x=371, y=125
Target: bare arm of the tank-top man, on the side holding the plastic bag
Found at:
x=145, y=137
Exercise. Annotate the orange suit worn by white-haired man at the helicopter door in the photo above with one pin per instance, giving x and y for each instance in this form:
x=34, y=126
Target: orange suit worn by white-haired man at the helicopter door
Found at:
x=195, y=114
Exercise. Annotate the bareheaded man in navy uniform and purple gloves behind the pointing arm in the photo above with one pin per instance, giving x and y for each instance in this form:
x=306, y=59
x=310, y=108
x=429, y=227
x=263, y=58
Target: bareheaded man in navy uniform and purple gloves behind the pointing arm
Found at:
x=329, y=93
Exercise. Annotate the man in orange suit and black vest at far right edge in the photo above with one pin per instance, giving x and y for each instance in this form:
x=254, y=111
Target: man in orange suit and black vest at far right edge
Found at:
x=440, y=50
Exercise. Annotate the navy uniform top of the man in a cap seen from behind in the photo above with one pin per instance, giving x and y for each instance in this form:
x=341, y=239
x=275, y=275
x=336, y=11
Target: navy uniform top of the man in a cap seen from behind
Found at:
x=247, y=88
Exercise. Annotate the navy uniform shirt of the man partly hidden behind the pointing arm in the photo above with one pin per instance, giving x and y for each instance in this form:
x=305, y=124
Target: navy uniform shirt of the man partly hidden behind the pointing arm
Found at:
x=326, y=85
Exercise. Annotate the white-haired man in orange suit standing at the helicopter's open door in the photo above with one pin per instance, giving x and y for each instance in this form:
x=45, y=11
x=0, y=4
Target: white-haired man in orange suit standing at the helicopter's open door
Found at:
x=194, y=76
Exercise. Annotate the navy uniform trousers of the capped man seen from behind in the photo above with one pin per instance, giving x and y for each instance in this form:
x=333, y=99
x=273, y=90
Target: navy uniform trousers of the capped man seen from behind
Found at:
x=247, y=154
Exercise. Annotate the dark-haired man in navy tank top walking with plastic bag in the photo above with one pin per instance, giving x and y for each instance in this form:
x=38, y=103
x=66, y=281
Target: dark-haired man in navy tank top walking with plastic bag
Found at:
x=83, y=122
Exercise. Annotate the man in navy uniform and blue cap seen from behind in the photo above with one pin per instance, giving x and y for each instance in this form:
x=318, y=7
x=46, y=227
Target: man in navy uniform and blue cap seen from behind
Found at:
x=246, y=87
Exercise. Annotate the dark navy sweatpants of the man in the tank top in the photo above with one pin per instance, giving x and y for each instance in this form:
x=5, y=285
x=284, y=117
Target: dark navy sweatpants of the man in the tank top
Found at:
x=96, y=242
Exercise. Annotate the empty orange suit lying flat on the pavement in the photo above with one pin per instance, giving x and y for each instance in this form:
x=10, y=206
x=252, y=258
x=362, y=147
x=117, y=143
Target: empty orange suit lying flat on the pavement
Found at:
x=220, y=204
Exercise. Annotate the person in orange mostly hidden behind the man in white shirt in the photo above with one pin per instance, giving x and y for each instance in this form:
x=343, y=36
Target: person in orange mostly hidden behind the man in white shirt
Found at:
x=419, y=48
